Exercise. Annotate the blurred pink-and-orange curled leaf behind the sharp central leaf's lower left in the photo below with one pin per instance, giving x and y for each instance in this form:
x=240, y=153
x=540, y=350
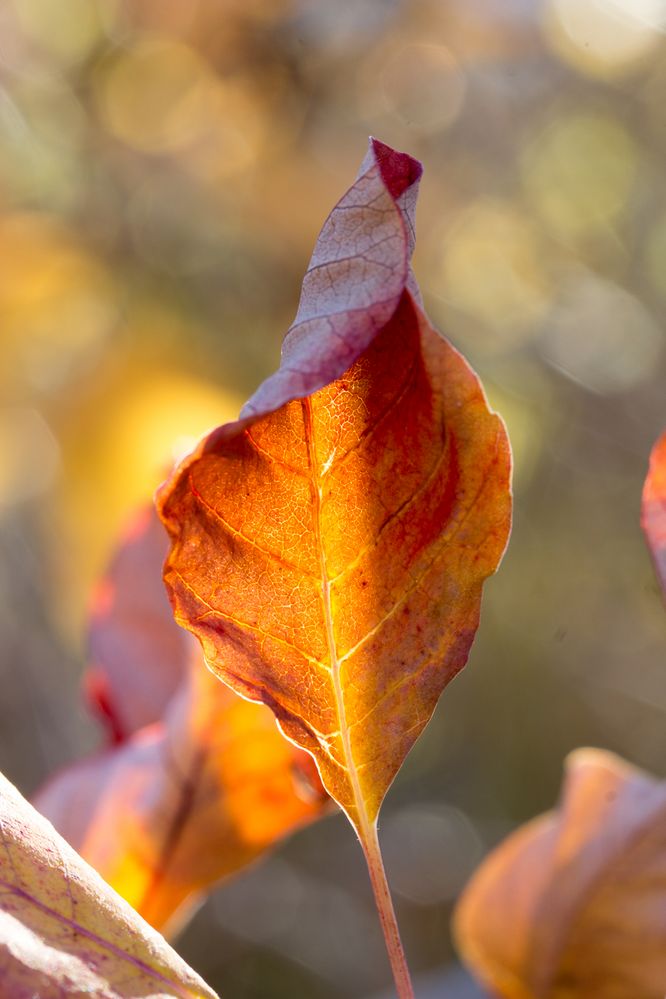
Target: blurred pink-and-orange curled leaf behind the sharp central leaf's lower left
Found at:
x=193, y=797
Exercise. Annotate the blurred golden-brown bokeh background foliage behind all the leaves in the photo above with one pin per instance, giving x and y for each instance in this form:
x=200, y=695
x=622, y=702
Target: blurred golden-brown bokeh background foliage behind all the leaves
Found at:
x=164, y=169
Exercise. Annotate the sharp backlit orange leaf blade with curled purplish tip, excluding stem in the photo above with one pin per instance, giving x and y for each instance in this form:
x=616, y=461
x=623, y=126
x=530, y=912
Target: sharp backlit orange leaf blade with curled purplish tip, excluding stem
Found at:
x=329, y=548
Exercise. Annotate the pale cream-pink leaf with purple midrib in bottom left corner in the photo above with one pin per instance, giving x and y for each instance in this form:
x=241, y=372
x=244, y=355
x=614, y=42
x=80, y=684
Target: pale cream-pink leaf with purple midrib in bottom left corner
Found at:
x=63, y=931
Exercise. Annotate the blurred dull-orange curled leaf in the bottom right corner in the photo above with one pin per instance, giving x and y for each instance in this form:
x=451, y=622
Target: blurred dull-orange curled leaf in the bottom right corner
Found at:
x=573, y=904
